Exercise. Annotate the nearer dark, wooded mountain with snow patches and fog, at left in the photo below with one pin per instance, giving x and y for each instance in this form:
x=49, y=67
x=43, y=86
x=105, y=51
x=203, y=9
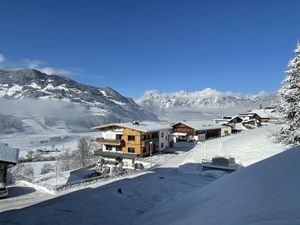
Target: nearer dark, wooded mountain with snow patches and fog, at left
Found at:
x=32, y=88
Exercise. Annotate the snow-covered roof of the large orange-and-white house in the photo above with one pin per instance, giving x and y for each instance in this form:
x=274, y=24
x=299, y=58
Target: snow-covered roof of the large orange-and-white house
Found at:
x=146, y=126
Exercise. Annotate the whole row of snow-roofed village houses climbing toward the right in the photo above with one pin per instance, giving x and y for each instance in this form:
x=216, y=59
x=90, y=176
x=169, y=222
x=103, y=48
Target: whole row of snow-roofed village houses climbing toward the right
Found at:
x=124, y=142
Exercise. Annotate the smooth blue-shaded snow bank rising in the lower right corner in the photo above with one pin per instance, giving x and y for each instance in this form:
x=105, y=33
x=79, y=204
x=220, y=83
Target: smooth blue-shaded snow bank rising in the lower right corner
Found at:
x=268, y=192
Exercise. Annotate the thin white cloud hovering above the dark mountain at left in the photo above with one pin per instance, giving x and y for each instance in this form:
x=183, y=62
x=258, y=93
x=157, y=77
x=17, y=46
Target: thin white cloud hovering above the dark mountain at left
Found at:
x=34, y=64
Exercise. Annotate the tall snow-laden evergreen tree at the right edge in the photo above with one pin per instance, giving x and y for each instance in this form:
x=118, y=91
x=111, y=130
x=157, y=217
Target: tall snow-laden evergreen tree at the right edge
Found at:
x=289, y=105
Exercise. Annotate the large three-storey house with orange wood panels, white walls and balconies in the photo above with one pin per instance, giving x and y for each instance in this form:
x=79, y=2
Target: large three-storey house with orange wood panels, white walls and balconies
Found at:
x=127, y=140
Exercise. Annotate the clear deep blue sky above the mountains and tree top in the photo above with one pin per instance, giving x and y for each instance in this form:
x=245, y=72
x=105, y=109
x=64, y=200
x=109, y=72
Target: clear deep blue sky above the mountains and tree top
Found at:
x=169, y=45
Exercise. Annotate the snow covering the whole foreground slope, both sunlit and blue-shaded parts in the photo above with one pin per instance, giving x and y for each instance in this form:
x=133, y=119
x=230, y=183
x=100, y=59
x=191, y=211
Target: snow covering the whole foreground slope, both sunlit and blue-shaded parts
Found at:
x=176, y=192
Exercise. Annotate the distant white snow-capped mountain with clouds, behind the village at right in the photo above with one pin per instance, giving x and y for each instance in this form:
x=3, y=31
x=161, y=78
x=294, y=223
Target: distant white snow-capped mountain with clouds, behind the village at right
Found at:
x=205, y=103
